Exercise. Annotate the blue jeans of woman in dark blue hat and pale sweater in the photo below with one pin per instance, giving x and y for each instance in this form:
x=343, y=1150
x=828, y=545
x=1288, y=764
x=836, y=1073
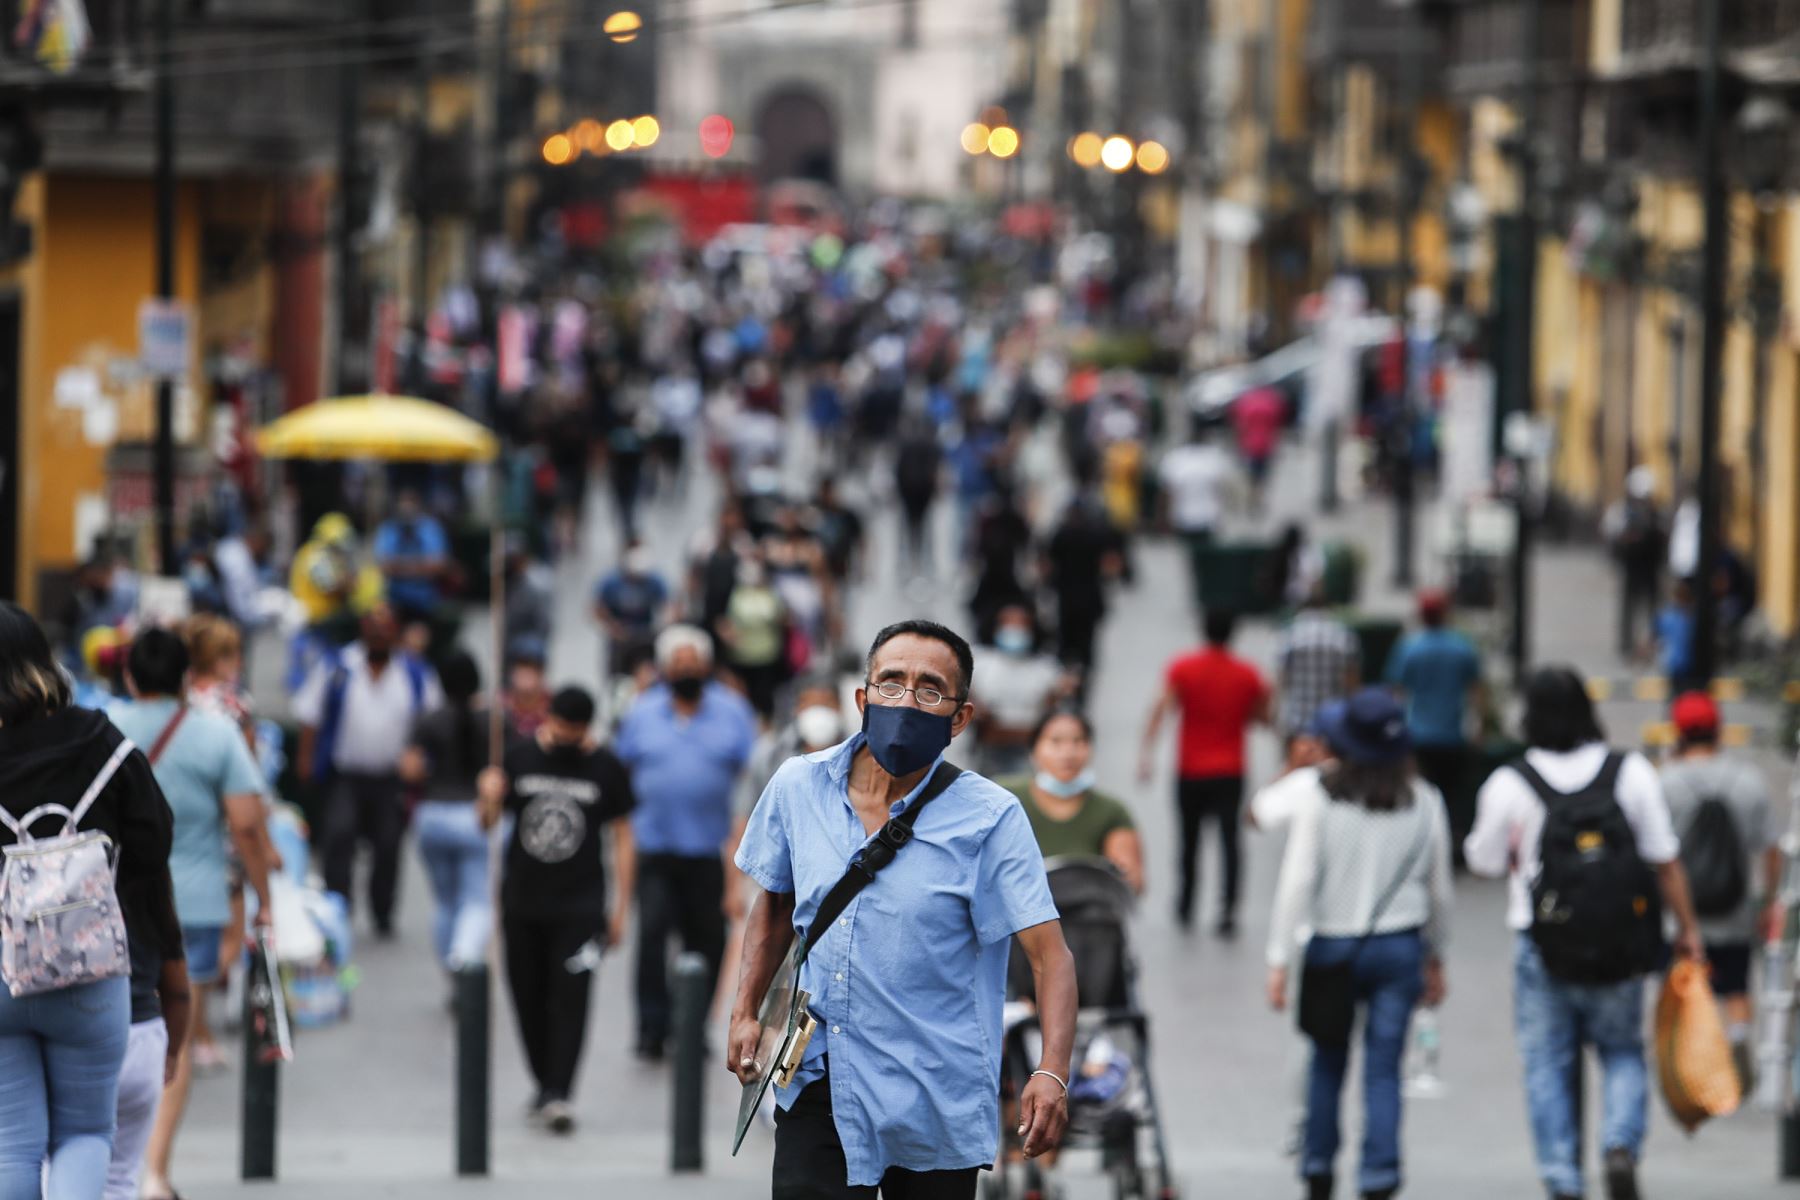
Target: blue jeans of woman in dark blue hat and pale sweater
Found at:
x=1389, y=983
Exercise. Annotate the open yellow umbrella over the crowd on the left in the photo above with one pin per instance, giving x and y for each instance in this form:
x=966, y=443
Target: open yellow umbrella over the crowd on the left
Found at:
x=393, y=429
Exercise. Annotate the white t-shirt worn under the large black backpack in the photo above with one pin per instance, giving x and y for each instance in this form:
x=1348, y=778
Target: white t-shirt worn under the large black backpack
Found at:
x=1511, y=819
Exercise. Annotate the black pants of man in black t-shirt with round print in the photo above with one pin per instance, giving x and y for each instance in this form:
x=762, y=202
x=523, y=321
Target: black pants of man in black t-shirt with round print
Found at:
x=550, y=1001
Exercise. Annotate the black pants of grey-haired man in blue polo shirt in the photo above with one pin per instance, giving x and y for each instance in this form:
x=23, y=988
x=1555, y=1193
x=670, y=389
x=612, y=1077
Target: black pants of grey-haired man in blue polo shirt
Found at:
x=676, y=895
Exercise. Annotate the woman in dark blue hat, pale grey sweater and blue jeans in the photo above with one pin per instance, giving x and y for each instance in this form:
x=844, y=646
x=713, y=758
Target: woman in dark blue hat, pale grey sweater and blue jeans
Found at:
x=1369, y=872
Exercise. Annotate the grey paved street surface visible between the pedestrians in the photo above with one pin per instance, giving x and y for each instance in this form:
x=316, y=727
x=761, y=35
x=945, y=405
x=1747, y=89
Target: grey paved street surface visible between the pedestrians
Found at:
x=368, y=1107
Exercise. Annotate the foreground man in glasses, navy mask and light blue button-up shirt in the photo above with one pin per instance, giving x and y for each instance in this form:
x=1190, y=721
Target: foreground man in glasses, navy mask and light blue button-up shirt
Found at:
x=899, y=1088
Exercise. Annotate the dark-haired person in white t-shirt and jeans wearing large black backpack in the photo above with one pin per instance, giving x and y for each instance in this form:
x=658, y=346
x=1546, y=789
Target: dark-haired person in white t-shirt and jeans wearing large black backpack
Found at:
x=1592, y=854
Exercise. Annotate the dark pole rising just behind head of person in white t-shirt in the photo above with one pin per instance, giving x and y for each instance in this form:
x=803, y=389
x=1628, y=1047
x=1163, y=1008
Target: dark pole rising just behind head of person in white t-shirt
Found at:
x=1522, y=330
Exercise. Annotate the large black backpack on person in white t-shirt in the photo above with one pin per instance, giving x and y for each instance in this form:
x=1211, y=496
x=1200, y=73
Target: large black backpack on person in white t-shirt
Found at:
x=1597, y=913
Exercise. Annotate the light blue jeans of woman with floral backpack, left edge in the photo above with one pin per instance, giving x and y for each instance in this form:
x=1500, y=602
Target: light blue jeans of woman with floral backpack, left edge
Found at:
x=60, y=1059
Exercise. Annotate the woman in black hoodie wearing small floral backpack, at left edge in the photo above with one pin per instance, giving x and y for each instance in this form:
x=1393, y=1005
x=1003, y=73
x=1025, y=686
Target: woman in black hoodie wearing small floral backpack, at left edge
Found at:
x=62, y=1048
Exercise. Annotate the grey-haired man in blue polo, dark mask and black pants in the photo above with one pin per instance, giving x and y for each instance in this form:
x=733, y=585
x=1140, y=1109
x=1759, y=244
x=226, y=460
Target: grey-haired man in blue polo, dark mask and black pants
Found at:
x=687, y=742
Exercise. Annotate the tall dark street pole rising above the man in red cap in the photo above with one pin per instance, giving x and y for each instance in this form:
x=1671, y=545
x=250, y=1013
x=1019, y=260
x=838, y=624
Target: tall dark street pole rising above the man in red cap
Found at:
x=1714, y=256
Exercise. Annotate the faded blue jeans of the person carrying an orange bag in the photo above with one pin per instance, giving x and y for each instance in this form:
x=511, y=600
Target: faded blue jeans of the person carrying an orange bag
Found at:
x=1554, y=1021
